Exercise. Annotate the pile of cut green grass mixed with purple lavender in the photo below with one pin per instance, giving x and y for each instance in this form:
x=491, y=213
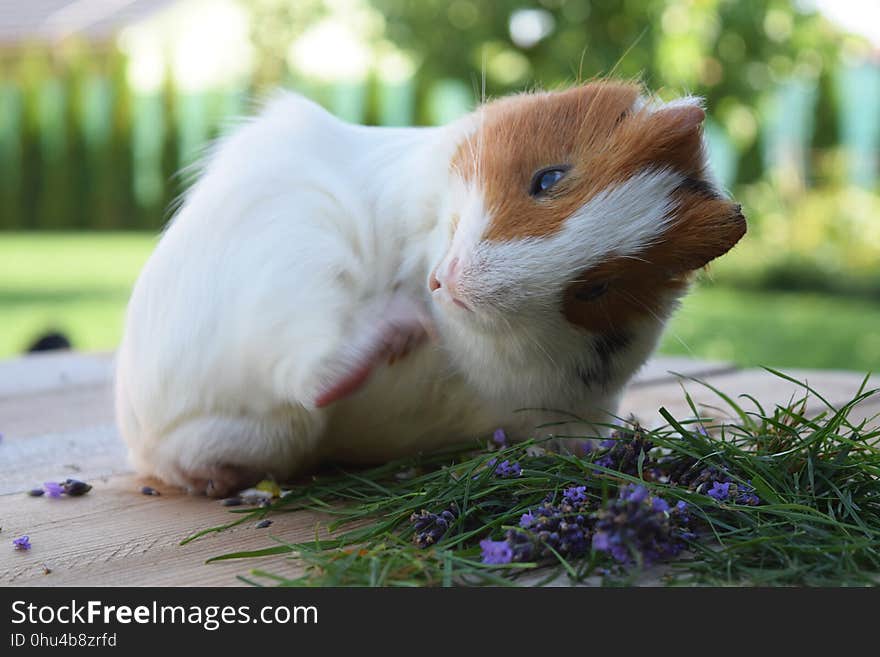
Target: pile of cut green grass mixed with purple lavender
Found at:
x=772, y=498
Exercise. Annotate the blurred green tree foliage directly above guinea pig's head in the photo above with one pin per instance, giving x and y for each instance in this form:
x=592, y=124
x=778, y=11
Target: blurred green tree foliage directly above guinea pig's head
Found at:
x=733, y=53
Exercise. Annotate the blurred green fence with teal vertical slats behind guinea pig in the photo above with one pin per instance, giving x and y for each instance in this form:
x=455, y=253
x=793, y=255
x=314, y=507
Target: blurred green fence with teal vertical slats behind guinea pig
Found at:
x=80, y=150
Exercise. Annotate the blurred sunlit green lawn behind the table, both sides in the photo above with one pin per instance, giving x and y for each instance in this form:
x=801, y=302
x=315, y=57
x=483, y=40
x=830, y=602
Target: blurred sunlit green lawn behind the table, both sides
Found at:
x=79, y=283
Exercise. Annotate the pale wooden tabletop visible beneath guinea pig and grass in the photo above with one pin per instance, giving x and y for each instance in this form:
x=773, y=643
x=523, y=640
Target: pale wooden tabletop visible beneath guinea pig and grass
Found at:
x=56, y=416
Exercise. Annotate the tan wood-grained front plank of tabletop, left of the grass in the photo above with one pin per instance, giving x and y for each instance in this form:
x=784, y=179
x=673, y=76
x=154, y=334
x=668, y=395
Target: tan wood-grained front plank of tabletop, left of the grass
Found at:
x=116, y=536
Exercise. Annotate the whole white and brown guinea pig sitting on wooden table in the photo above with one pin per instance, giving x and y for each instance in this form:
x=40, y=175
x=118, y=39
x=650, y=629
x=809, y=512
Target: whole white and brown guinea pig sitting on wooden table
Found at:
x=337, y=292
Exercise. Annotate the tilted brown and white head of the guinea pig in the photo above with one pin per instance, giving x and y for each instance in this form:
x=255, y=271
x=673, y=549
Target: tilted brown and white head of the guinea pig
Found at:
x=593, y=205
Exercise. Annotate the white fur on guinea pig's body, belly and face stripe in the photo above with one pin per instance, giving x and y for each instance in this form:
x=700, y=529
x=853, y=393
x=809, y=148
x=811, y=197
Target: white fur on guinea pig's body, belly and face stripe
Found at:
x=300, y=231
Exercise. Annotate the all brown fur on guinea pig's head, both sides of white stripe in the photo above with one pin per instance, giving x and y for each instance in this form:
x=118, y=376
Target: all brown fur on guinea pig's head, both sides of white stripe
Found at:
x=594, y=130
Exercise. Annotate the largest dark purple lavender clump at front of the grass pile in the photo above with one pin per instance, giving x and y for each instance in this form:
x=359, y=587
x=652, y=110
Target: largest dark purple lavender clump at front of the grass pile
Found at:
x=636, y=523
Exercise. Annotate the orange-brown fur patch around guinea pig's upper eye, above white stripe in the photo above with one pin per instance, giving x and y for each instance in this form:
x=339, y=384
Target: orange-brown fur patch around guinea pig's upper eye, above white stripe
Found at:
x=589, y=128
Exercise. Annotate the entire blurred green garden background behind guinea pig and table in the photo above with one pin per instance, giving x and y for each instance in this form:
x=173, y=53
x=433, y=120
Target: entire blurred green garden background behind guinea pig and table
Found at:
x=102, y=104
